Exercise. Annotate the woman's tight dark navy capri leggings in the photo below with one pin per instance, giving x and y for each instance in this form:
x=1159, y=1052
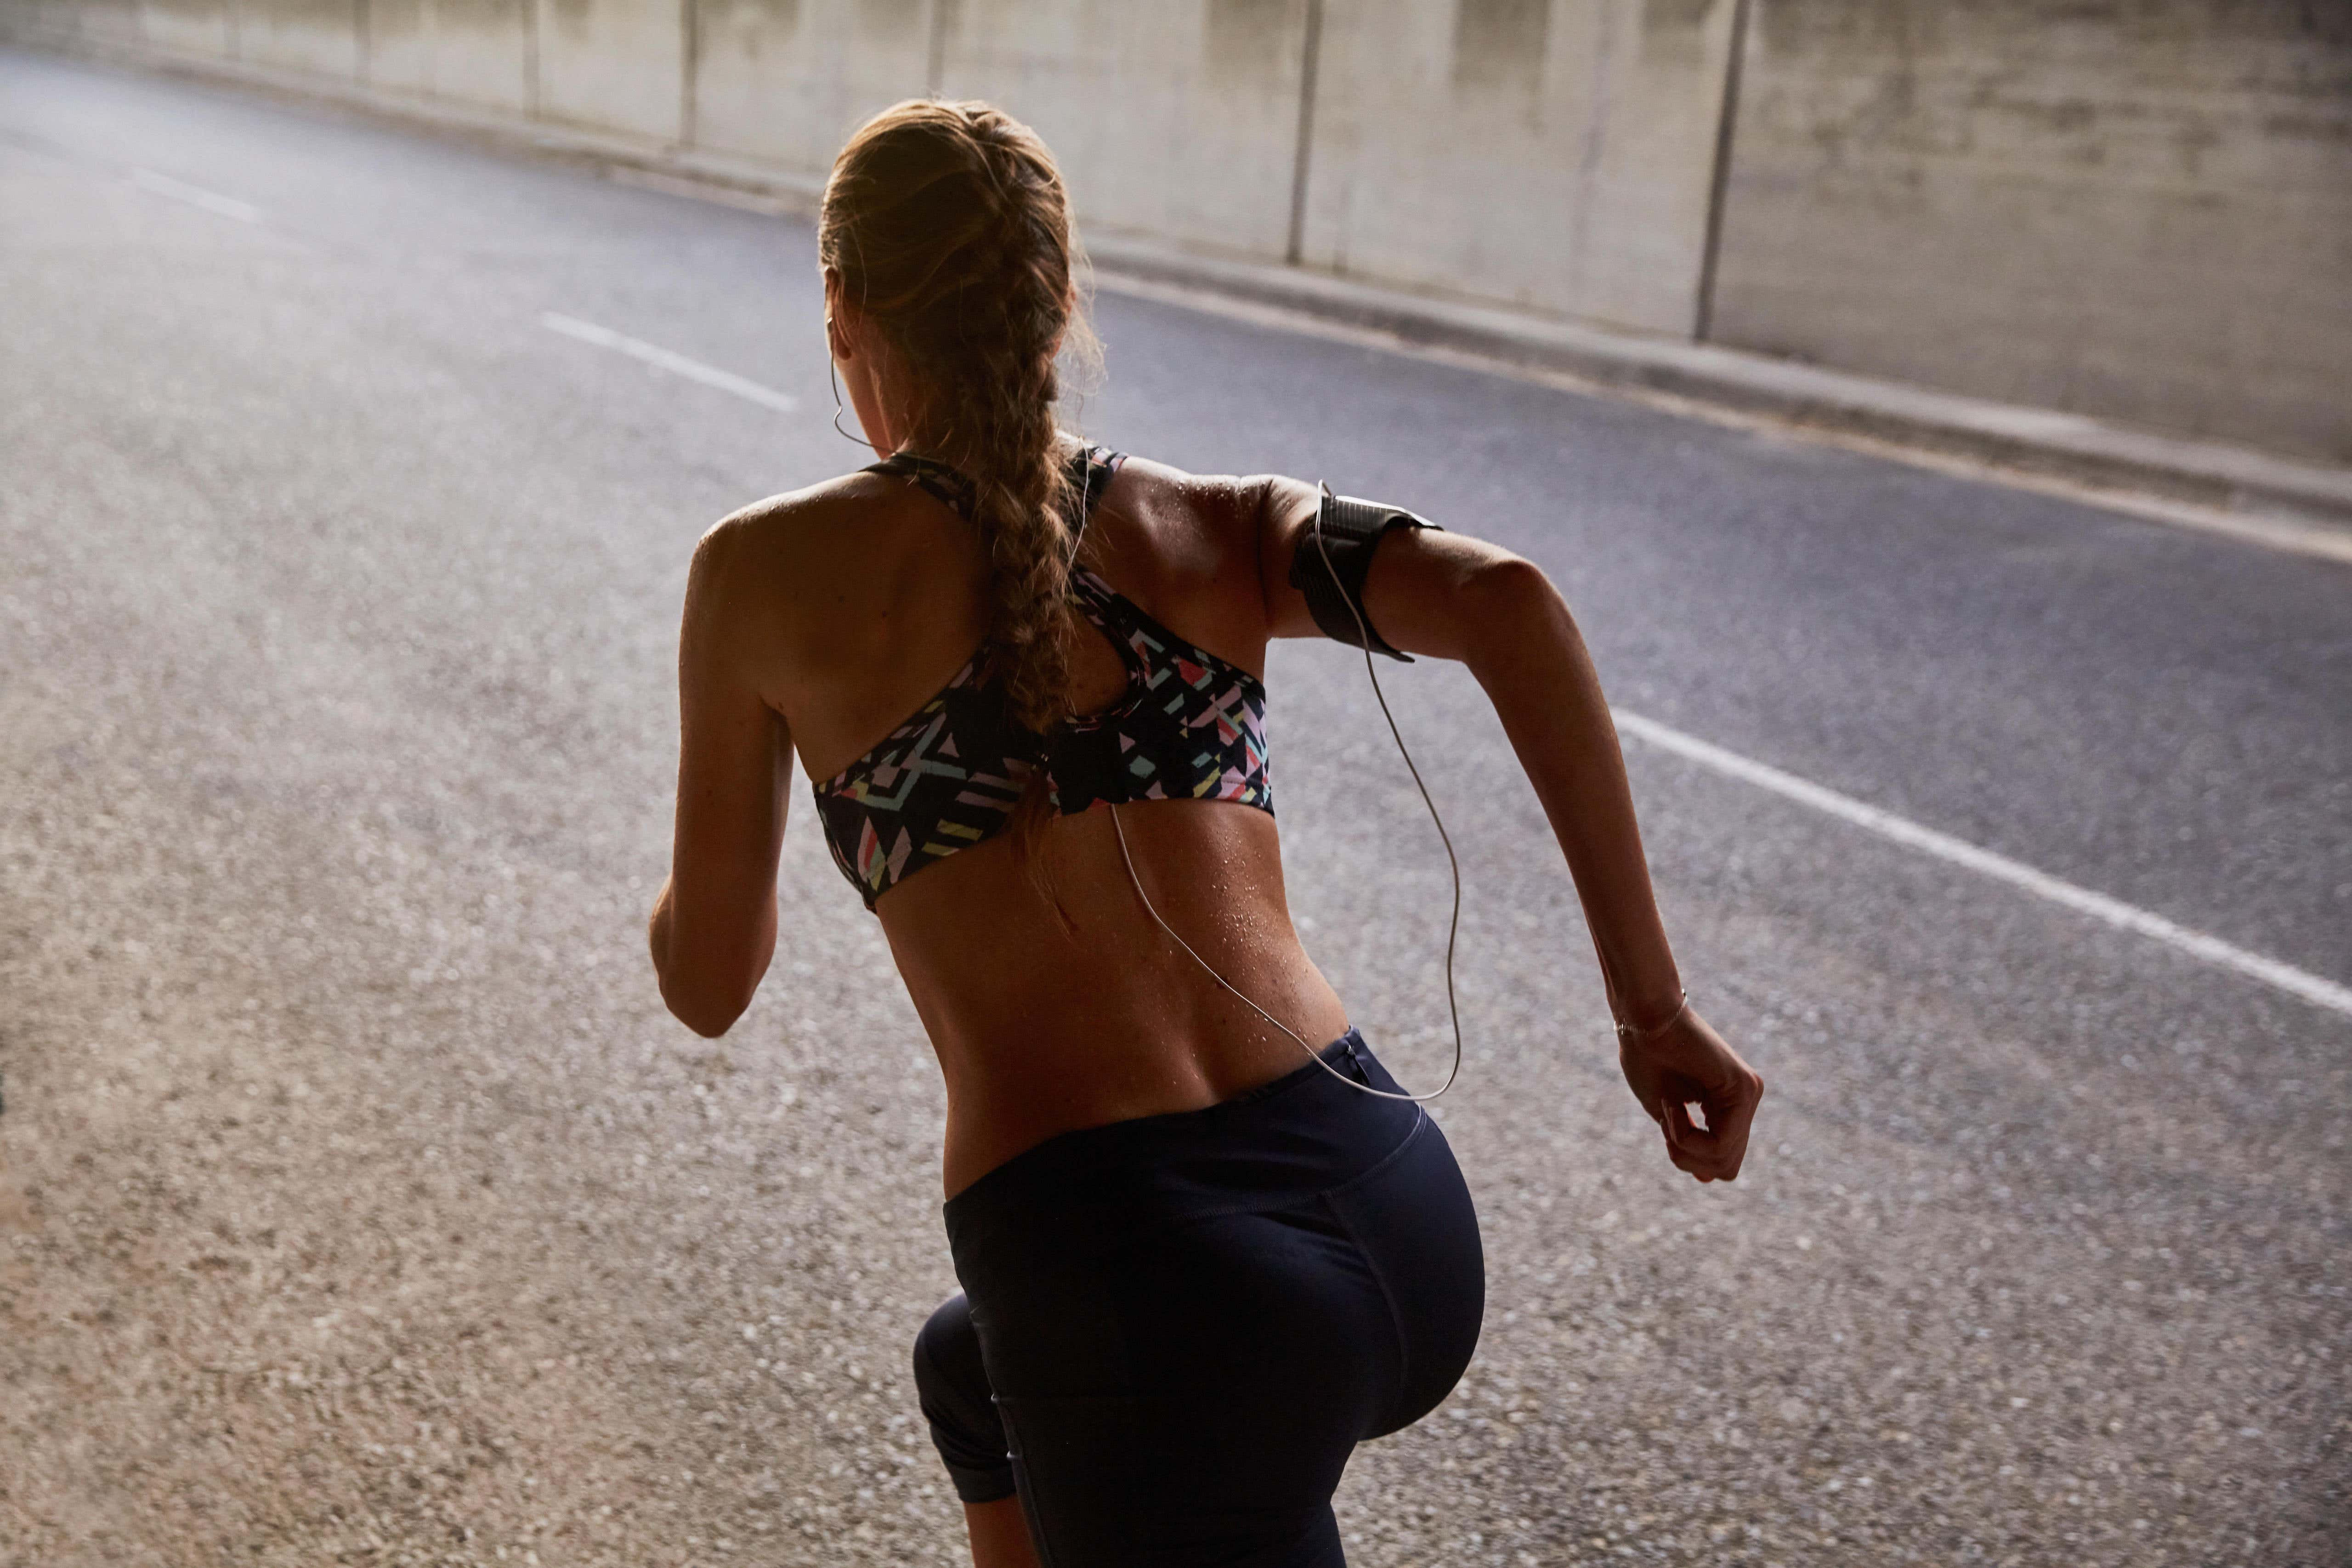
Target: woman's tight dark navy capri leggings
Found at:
x=1175, y=1329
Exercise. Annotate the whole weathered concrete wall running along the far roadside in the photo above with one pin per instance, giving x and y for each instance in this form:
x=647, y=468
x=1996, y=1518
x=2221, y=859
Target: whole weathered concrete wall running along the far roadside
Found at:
x=2123, y=208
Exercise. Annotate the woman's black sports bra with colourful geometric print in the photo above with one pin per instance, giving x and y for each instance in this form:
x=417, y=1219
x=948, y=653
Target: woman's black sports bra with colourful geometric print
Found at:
x=1191, y=728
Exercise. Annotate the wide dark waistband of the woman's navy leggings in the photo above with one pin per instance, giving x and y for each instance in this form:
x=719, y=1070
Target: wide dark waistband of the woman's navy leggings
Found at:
x=1283, y=1139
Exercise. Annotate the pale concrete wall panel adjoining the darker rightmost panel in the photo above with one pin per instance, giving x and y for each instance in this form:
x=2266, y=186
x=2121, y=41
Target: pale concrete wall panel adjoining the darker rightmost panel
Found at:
x=1551, y=154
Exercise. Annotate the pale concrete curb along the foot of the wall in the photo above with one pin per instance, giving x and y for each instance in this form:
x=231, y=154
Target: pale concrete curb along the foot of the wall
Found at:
x=2269, y=492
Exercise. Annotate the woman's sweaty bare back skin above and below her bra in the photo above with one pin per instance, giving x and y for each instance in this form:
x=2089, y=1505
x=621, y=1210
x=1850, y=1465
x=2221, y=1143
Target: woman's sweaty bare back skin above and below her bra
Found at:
x=855, y=603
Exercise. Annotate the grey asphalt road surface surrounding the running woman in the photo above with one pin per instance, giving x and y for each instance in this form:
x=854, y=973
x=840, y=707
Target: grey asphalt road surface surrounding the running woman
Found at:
x=363, y=1205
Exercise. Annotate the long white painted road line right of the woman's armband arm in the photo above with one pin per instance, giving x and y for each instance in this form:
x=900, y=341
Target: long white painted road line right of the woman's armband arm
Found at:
x=1986, y=864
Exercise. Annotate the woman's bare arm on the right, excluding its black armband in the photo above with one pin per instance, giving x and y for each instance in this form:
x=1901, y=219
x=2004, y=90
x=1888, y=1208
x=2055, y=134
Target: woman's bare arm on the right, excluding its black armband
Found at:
x=1462, y=598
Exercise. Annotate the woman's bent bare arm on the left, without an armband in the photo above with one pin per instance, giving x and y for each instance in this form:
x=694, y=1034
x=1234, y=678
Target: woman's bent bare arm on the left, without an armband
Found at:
x=714, y=927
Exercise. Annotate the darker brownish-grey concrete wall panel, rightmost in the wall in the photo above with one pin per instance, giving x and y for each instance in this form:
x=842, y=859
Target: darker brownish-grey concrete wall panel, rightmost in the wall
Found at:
x=2127, y=210
